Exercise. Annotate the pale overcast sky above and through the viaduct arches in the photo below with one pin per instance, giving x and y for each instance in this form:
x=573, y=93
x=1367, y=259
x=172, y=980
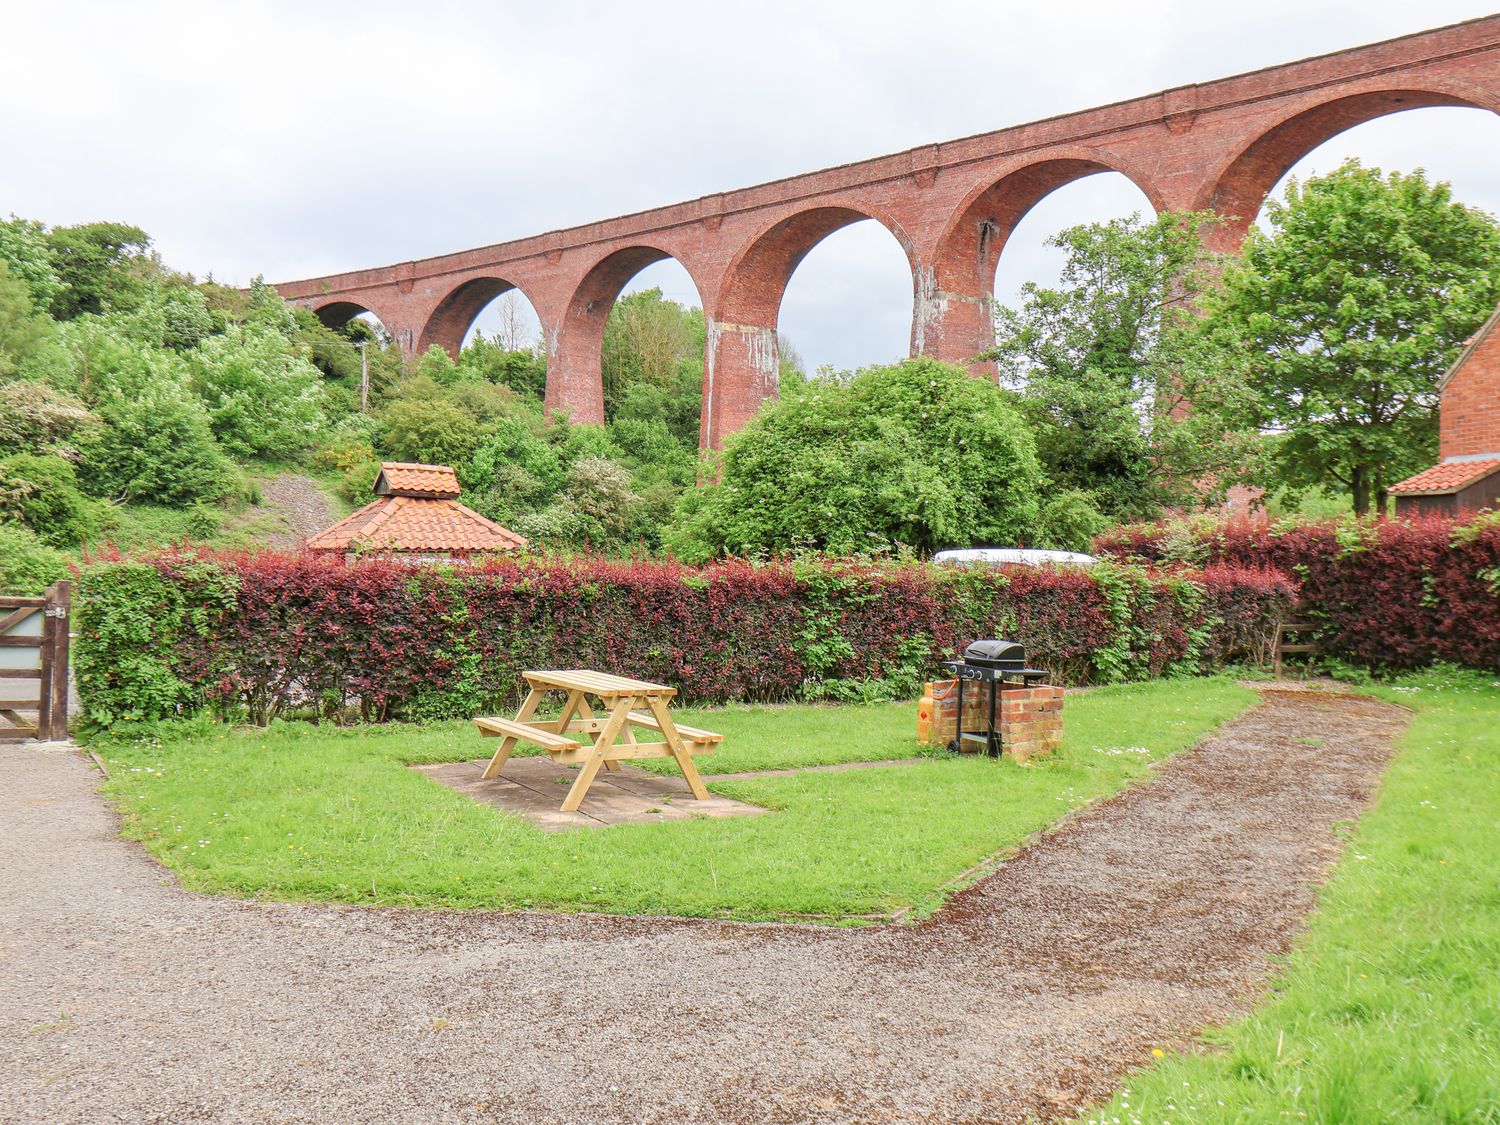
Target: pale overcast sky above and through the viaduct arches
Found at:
x=296, y=140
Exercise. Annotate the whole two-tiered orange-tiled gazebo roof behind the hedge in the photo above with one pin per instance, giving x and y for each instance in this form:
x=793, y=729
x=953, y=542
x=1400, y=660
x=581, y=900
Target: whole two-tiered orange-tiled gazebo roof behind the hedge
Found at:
x=416, y=512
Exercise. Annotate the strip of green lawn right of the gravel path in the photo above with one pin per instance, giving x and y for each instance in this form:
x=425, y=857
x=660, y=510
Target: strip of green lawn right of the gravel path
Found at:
x=1390, y=1012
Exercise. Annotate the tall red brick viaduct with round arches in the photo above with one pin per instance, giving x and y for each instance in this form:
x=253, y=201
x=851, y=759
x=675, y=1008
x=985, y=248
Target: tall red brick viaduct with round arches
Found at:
x=952, y=206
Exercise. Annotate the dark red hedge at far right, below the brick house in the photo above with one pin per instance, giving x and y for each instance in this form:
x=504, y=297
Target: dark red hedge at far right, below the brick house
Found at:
x=1388, y=593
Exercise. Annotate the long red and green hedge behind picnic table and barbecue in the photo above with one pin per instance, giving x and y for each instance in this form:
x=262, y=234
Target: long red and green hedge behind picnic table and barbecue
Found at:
x=274, y=634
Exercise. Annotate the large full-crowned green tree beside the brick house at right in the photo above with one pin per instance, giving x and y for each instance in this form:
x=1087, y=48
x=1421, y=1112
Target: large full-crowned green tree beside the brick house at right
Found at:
x=1342, y=319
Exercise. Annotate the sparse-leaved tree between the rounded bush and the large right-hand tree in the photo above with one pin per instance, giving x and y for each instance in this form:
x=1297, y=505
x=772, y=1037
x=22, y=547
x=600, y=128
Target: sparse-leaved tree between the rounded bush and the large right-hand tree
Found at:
x=1097, y=365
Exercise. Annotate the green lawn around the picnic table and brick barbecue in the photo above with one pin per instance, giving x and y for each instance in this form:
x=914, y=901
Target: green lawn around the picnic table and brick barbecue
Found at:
x=301, y=812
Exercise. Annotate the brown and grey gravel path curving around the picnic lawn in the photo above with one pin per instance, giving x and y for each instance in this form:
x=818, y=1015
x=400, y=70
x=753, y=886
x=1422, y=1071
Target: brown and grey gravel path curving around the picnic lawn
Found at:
x=1147, y=919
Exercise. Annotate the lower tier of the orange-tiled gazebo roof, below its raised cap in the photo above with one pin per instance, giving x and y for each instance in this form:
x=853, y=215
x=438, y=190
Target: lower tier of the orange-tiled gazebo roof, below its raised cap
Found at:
x=415, y=524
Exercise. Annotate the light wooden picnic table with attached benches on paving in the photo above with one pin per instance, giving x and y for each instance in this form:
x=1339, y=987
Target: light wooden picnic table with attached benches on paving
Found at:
x=619, y=698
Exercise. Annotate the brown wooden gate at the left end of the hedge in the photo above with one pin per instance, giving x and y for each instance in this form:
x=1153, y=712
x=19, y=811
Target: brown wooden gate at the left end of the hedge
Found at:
x=34, y=665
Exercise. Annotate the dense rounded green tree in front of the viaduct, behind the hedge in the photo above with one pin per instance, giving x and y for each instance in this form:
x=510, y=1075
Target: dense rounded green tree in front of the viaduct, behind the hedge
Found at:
x=917, y=454
